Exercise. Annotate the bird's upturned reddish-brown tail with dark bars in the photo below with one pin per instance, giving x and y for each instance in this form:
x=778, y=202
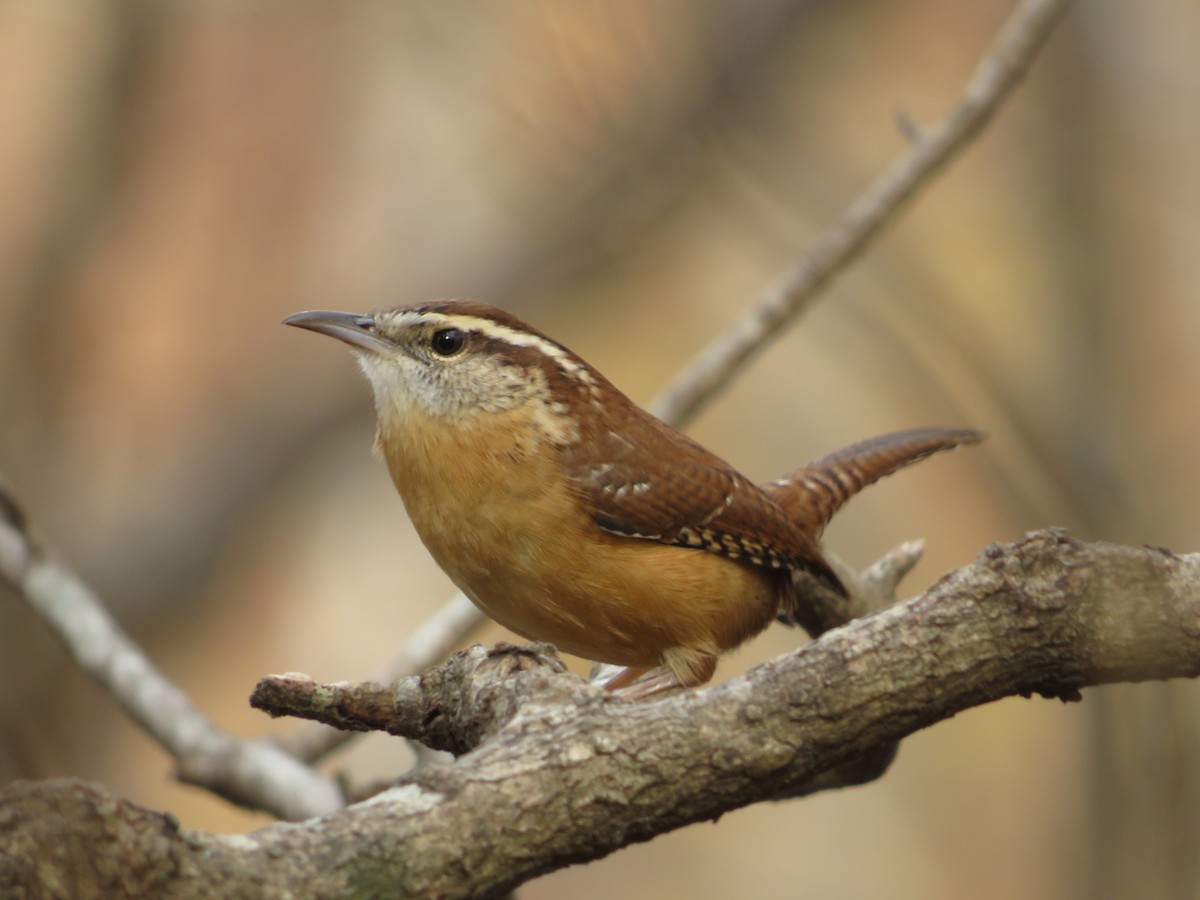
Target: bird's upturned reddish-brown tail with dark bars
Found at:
x=813, y=494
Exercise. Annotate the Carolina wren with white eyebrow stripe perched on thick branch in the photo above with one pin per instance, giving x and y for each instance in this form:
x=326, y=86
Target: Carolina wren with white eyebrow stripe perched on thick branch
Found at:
x=571, y=515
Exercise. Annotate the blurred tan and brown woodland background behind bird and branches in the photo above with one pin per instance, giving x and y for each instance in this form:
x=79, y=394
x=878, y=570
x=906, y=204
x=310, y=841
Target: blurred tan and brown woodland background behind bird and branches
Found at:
x=176, y=178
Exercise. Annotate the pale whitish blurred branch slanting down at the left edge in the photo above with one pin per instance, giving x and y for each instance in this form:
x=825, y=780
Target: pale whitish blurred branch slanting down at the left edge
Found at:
x=251, y=773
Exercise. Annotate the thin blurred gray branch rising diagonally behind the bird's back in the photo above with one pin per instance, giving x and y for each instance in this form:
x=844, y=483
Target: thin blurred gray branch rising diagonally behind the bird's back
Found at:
x=994, y=80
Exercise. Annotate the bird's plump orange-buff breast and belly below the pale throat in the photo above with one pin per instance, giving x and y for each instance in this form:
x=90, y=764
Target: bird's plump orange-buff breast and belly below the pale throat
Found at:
x=518, y=543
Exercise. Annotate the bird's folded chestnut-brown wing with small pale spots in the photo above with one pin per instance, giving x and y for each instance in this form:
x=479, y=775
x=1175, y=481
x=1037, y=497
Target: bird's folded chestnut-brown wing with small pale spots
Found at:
x=697, y=501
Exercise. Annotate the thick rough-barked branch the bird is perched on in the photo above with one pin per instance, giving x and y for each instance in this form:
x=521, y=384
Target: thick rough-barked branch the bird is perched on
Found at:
x=555, y=772
